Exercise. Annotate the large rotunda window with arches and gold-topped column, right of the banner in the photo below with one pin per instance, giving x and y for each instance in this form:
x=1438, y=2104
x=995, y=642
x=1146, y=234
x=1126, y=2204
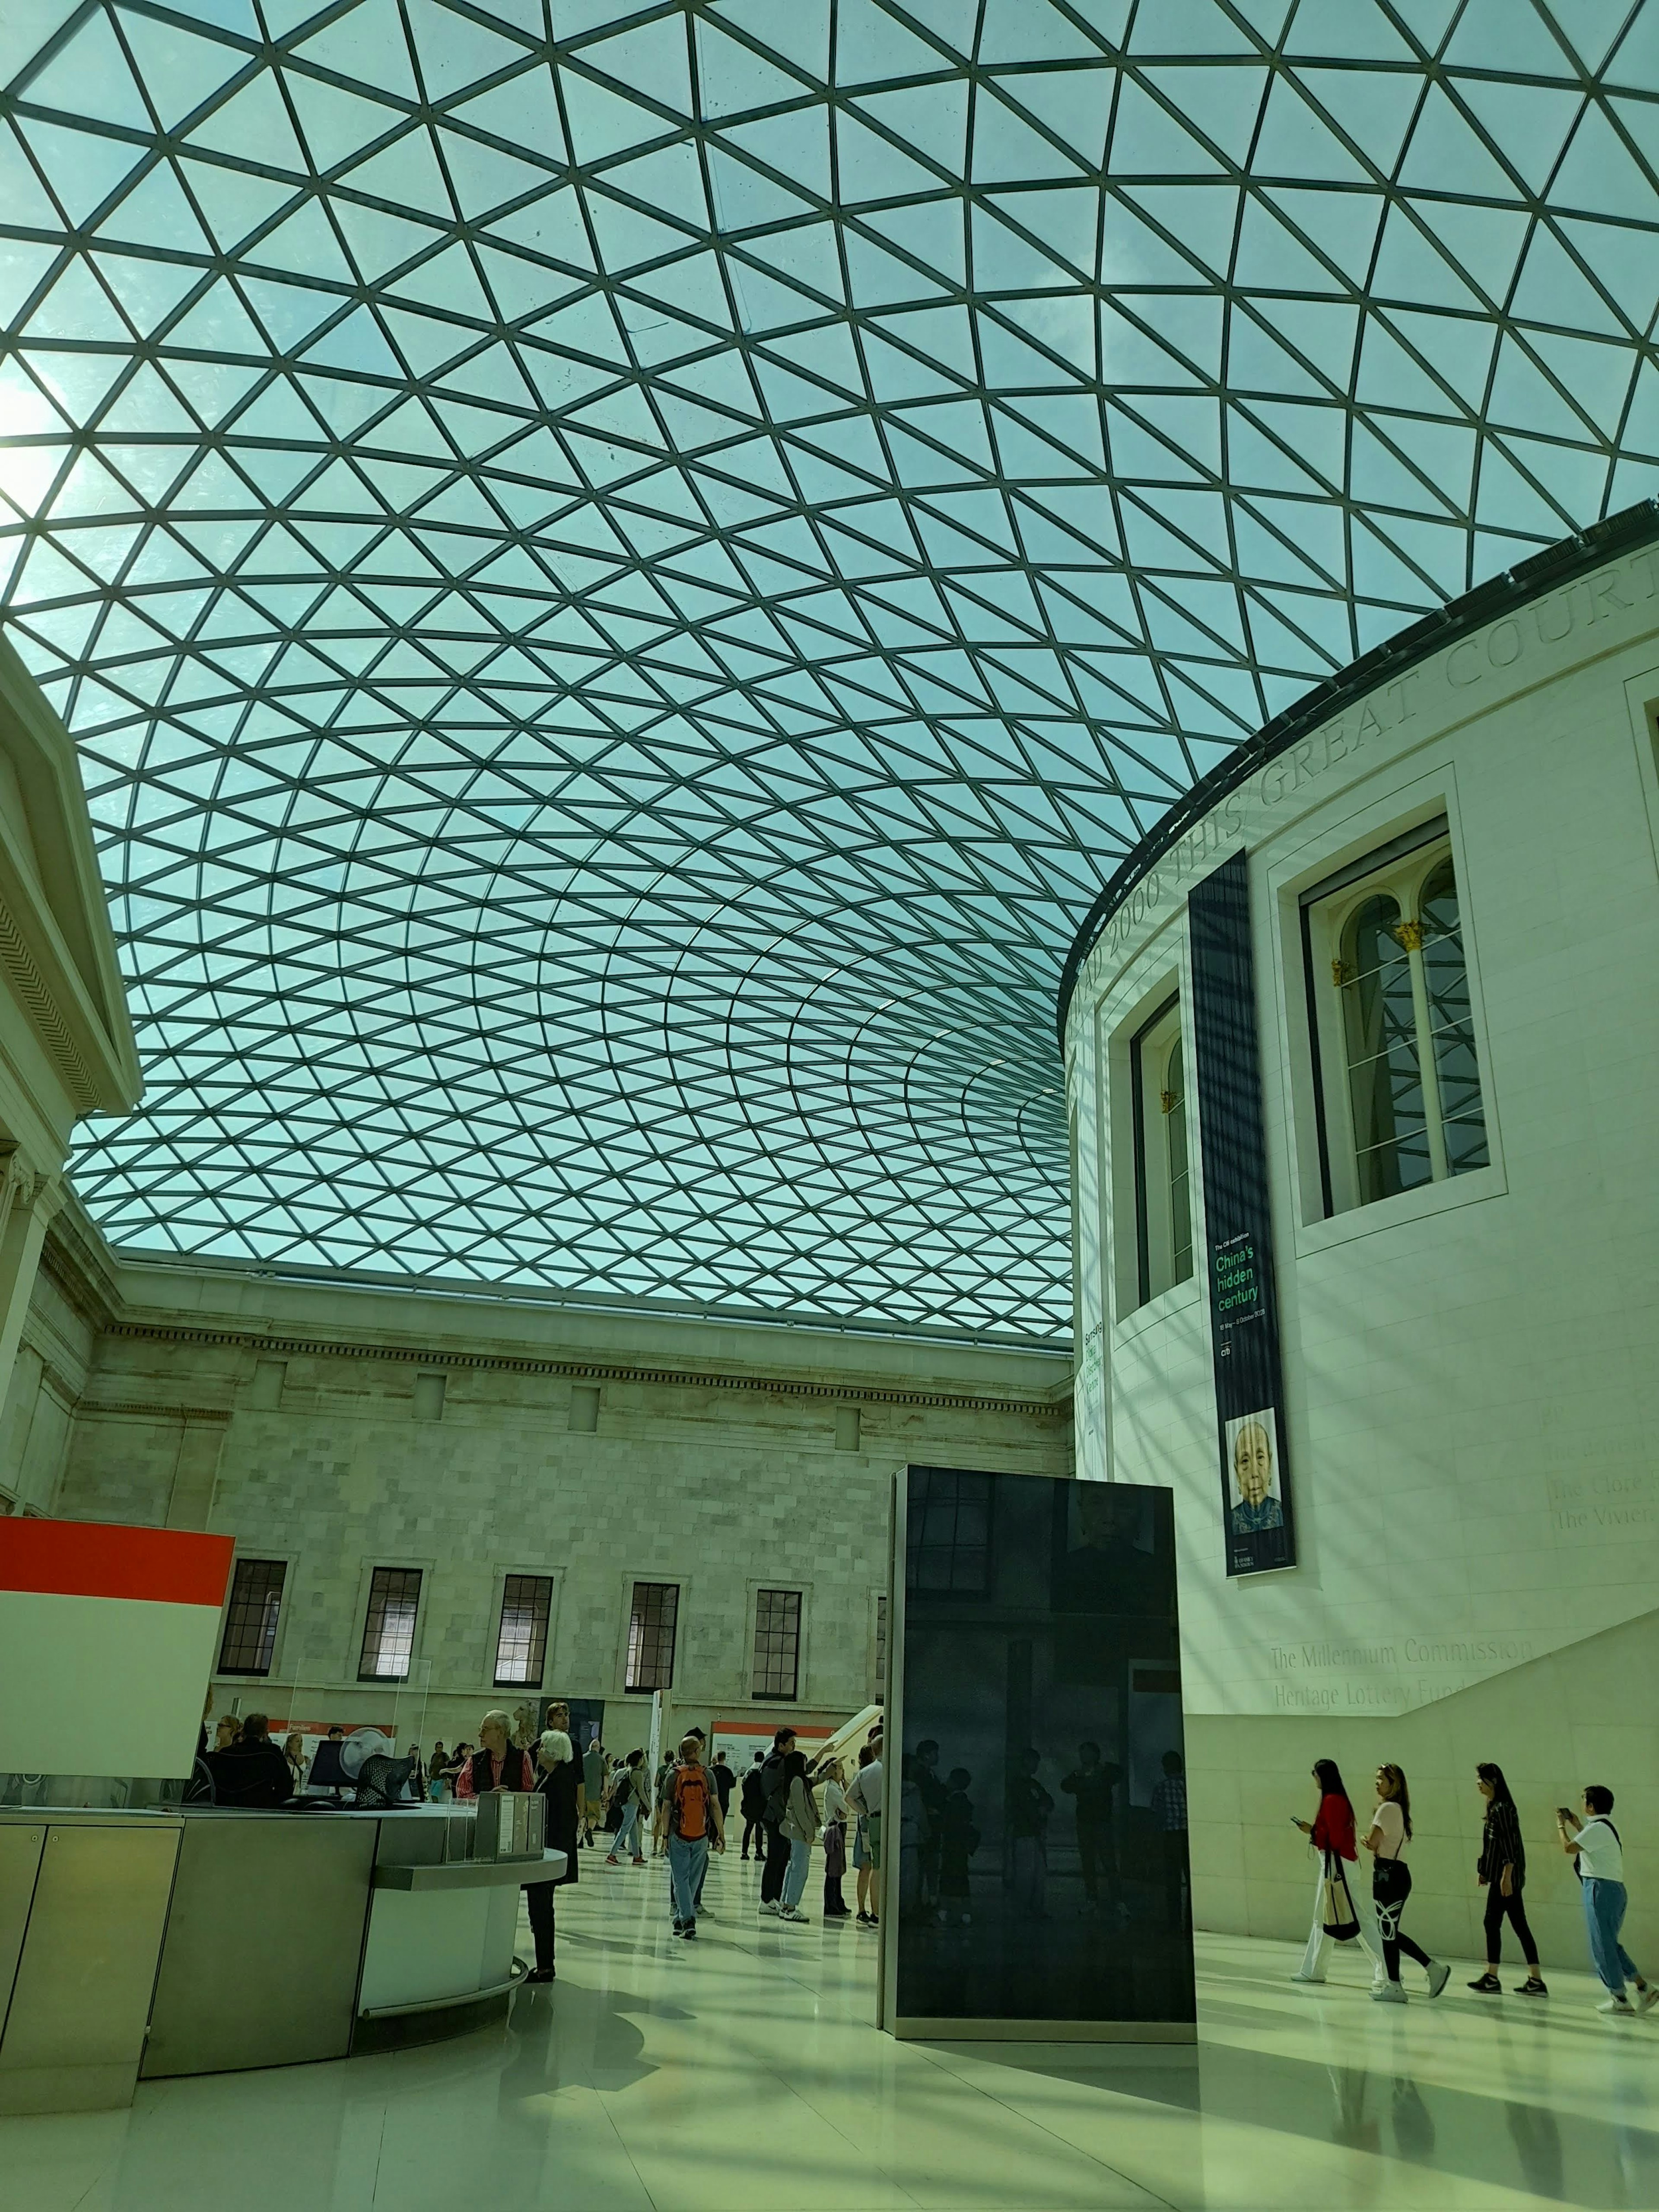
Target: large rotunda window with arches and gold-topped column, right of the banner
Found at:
x=1395, y=1047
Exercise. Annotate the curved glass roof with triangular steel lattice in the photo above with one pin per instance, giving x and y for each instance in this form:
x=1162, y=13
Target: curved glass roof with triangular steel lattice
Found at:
x=623, y=578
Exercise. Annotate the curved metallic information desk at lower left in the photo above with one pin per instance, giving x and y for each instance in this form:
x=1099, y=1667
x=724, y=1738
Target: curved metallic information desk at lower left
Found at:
x=202, y=1941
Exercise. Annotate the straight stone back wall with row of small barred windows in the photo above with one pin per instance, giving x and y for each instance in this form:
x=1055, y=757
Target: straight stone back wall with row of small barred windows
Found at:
x=289, y=1417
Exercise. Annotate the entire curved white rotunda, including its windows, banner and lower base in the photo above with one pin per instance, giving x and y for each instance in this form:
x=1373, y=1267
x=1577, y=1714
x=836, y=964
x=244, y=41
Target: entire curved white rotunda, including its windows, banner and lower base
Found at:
x=1432, y=1534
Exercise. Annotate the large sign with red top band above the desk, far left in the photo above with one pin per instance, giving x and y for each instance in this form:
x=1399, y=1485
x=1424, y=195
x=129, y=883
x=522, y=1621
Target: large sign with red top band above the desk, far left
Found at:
x=107, y=1645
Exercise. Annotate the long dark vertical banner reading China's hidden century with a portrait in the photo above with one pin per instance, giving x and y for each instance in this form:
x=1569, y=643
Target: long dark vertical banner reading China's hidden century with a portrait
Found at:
x=1244, y=1308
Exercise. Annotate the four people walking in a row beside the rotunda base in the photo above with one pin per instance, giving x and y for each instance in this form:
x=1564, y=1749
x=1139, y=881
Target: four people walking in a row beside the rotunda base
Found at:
x=1370, y=1914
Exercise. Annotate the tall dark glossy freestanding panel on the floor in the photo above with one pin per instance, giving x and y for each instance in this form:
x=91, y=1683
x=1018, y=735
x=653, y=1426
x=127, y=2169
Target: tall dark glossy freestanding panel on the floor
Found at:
x=1036, y=1826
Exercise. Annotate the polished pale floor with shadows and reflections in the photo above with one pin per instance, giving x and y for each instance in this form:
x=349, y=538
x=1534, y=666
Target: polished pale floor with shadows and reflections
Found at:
x=744, y=2074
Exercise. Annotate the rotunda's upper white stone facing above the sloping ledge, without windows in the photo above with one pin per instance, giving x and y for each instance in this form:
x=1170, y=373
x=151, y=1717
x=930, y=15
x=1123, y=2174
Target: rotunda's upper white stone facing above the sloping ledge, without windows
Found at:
x=1472, y=1377
